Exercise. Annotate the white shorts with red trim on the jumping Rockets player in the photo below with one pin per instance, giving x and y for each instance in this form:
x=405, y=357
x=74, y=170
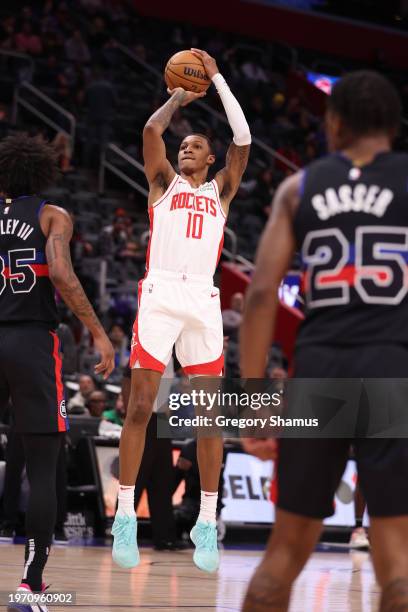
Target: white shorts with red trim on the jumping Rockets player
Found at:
x=182, y=310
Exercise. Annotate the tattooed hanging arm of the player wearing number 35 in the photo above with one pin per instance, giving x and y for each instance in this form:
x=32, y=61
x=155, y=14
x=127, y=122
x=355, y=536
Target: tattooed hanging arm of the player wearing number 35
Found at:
x=57, y=226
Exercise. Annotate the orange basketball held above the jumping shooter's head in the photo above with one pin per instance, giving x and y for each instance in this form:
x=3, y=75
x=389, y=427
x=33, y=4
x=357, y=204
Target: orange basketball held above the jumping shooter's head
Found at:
x=187, y=71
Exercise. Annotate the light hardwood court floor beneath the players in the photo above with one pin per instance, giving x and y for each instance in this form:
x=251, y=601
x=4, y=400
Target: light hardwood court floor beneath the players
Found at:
x=164, y=582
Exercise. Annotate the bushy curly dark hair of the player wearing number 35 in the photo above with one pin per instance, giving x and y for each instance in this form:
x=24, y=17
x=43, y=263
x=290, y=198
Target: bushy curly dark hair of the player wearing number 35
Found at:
x=27, y=165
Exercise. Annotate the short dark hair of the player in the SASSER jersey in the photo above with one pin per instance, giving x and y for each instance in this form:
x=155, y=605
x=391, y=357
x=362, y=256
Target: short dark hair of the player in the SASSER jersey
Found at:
x=367, y=103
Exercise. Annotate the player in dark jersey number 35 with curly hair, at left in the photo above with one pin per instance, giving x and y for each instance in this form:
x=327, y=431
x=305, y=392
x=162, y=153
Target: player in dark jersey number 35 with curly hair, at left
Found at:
x=34, y=261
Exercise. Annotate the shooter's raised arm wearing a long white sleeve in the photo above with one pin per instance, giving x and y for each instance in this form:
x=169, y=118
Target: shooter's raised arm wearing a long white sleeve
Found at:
x=229, y=178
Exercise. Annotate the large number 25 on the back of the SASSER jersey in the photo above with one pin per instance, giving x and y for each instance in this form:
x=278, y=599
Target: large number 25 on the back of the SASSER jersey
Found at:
x=378, y=271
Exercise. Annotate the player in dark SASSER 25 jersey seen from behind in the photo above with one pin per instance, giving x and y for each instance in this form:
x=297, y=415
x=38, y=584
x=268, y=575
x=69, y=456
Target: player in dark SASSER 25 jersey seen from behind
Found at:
x=347, y=214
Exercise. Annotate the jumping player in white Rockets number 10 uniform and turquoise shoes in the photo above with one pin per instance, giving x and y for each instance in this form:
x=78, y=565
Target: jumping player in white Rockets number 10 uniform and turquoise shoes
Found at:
x=178, y=303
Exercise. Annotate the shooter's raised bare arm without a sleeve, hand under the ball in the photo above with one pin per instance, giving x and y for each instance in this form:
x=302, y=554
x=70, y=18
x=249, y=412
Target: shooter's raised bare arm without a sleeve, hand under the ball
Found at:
x=159, y=171
